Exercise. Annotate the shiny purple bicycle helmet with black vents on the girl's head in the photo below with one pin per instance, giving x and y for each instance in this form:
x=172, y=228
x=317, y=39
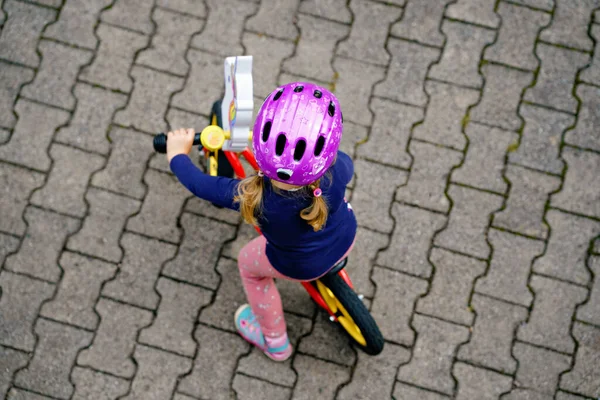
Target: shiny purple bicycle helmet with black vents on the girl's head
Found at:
x=297, y=133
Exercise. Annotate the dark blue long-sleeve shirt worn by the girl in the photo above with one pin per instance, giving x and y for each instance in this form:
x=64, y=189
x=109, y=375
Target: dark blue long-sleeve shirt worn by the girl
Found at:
x=293, y=247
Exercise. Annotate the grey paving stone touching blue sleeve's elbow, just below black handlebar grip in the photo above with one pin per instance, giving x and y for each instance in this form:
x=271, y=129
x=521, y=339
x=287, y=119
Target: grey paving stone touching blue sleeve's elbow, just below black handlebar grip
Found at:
x=155, y=219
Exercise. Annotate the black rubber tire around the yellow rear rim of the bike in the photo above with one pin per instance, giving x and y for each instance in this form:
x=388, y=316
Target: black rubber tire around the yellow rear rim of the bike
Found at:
x=359, y=313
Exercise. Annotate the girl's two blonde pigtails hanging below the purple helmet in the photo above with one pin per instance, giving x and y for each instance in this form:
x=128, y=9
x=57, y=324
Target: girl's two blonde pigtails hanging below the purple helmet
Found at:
x=250, y=196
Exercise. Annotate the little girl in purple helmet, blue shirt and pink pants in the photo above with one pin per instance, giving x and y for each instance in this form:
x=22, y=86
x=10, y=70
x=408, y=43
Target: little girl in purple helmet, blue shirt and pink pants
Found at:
x=297, y=199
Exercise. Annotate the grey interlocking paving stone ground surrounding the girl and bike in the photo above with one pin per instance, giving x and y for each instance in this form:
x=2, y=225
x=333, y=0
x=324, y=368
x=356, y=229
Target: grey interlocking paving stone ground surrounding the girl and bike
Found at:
x=475, y=129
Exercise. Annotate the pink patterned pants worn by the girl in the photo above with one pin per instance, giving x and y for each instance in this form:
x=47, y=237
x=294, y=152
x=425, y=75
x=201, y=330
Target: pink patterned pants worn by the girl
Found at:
x=257, y=277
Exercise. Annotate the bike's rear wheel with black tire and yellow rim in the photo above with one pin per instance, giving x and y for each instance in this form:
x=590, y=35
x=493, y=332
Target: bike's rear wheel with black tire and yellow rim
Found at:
x=351, y=313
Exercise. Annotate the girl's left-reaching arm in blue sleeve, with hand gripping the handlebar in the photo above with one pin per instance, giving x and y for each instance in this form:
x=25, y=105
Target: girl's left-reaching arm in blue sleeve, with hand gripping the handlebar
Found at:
x=217, y=190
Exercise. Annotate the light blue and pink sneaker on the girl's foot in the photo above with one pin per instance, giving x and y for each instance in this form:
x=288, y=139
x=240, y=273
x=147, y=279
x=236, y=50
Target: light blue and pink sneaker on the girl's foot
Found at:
x=249, y=328
